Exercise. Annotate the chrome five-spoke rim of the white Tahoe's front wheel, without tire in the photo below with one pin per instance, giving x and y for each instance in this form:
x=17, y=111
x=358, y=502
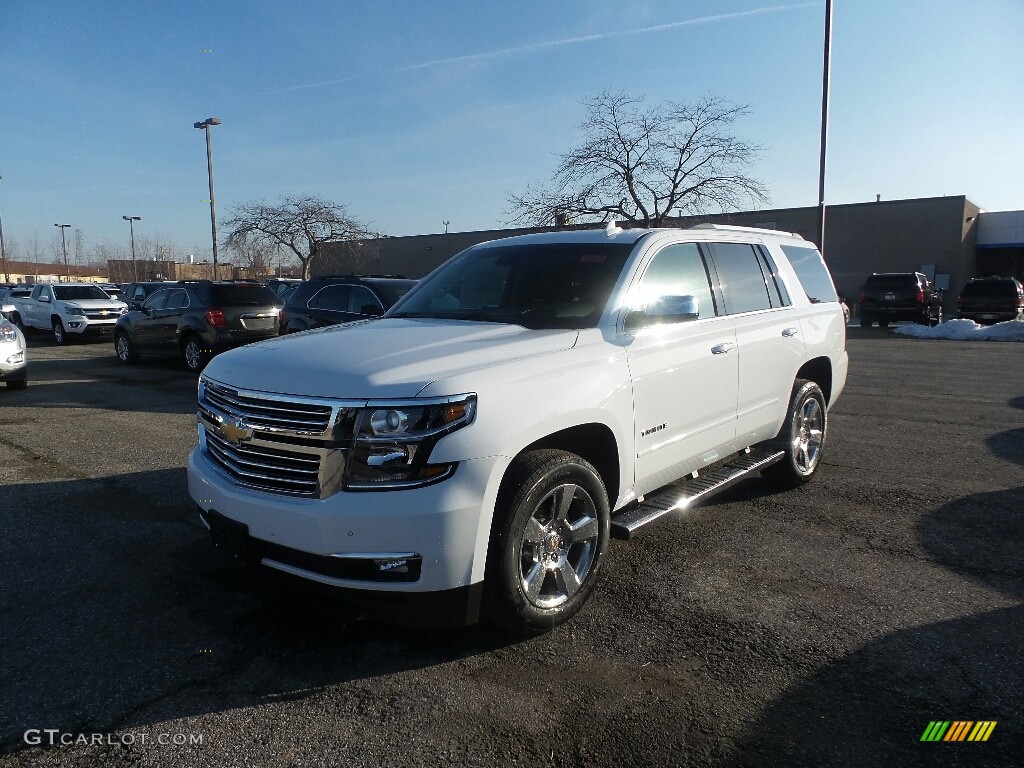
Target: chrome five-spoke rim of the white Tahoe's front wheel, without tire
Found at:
x=559, y=546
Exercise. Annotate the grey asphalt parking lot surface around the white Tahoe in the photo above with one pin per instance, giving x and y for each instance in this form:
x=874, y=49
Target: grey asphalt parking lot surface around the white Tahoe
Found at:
x=824, y=626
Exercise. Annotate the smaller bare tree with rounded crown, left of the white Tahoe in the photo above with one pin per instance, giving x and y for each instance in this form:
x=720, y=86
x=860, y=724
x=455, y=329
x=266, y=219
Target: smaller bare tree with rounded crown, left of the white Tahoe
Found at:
x=302, y=226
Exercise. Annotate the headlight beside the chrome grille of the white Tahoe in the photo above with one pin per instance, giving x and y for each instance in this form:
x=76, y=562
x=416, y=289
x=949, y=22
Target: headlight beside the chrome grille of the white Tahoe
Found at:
x=394, y=442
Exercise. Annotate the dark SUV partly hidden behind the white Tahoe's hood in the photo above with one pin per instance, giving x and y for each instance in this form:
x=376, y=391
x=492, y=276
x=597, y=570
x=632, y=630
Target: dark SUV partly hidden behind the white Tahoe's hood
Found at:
x=331, y=301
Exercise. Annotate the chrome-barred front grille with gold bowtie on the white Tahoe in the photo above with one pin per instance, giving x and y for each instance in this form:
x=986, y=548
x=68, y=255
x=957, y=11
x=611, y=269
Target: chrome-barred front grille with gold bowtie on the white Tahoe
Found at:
x=276, y=444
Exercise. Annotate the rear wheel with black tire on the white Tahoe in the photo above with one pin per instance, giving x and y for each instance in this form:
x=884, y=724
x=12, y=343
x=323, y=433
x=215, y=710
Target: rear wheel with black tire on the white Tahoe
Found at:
x=802, y=439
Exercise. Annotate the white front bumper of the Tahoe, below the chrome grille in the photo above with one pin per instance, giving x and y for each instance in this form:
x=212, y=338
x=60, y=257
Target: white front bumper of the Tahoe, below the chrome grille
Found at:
x=420, y=542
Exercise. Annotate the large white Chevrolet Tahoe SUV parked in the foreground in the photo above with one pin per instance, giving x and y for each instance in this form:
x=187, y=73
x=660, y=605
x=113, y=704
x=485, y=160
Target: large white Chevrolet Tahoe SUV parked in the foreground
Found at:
x=474, y=451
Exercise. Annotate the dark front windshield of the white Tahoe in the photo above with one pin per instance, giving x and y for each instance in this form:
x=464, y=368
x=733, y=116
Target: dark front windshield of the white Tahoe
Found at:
x=556, y=285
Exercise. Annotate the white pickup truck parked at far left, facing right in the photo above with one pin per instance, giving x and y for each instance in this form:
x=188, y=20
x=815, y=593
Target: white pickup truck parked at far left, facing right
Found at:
x=69, y=310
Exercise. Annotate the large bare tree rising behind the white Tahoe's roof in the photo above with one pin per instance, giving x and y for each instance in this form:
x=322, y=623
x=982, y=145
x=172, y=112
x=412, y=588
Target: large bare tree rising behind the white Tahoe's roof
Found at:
x=641, y=164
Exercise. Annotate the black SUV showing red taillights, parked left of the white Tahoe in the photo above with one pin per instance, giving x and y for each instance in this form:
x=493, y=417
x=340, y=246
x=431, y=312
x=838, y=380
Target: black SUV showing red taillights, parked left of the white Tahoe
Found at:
x=195, y=320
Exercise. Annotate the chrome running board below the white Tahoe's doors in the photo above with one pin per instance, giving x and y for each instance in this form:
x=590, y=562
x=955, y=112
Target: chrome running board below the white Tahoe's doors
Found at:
x=685, y=494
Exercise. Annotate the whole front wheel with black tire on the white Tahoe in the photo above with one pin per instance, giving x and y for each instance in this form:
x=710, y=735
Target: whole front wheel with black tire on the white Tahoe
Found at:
x=549, y=534
